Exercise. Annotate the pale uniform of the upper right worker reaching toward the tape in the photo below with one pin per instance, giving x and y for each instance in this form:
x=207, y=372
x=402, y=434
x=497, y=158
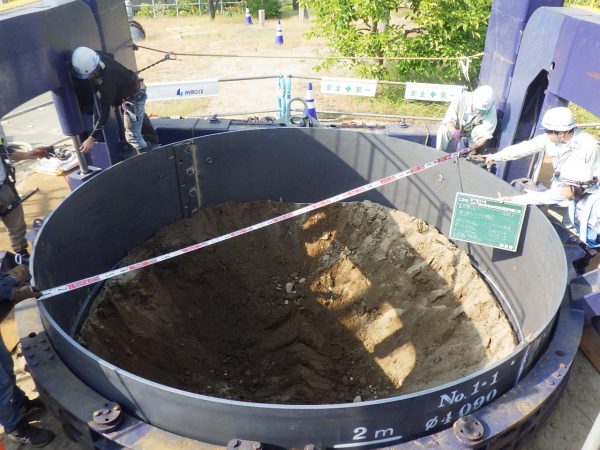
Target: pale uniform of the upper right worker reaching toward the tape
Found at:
x=582, y=146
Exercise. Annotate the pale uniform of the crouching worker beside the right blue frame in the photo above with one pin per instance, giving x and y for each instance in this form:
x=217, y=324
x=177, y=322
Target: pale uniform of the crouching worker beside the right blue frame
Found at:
x=474, y=125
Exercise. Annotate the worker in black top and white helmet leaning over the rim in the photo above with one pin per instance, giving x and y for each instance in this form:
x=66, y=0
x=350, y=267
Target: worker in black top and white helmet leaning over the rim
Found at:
x=117, y=86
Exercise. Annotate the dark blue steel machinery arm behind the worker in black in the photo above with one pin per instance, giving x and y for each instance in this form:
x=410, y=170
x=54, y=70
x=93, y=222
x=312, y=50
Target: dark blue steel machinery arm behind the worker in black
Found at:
x=42, y=36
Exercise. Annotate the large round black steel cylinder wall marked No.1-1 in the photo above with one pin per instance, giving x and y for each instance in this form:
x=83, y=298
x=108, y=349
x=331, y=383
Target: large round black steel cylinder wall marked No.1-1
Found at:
x=123, y=206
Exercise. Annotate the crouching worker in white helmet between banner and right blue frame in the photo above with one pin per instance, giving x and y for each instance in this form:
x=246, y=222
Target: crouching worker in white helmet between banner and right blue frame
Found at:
x=470, y=116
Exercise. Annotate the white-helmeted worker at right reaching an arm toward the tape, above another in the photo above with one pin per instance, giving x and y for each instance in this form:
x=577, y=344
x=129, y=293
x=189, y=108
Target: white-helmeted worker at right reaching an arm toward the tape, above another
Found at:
x=562, y=141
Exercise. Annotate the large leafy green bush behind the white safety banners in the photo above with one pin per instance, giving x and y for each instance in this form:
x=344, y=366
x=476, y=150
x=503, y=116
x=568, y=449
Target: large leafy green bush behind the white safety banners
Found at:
x=431, y=28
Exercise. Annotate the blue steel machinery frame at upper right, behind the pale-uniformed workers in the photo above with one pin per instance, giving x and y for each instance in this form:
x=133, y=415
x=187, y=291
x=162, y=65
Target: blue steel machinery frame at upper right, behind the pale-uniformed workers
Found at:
x=554, y=62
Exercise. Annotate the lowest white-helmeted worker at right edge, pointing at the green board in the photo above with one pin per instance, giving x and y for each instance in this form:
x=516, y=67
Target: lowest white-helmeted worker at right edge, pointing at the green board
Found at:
x=579, y=187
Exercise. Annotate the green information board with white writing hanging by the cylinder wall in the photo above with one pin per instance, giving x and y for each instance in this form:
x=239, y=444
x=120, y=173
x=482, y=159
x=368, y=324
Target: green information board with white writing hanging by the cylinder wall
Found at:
x=487, y=221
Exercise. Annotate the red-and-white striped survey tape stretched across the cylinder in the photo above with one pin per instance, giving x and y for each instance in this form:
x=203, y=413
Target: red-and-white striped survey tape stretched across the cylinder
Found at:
x=298, y=212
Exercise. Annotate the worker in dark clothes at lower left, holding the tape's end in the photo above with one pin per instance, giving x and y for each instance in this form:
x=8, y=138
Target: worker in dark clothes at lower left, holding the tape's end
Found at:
x=15, y=407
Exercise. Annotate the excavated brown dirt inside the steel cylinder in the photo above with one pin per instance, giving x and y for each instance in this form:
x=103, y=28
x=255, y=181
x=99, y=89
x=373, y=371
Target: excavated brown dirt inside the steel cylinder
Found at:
x=354, y=300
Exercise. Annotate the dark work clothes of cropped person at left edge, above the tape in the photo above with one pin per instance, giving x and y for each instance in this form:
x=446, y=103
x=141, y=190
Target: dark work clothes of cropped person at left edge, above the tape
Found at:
x=11, y=212
